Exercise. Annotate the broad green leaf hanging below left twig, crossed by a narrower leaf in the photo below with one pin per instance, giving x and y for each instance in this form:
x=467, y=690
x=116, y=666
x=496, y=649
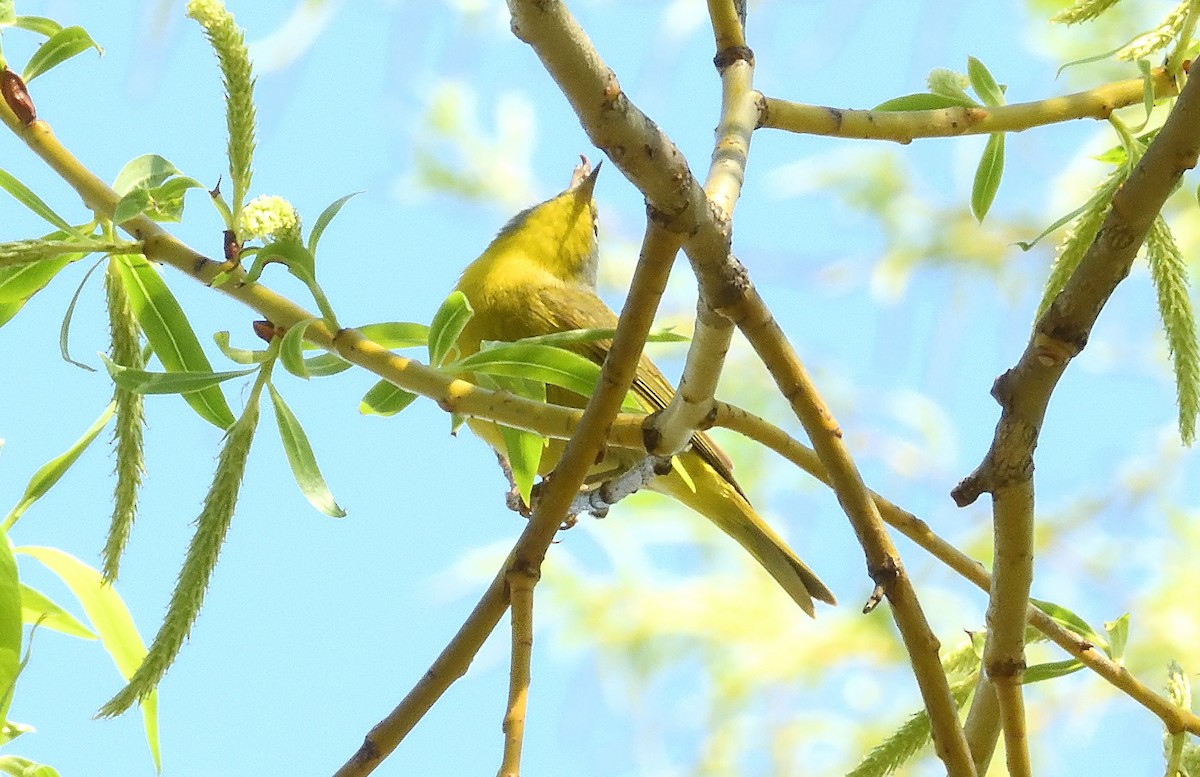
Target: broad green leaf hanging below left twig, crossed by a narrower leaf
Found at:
x=170, y=334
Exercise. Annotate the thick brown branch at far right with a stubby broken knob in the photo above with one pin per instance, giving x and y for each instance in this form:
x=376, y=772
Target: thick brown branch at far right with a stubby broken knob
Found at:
x=1024, y=394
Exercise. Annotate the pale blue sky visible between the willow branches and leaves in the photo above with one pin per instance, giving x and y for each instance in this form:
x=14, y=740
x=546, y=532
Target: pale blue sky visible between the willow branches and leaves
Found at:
x=314, y=629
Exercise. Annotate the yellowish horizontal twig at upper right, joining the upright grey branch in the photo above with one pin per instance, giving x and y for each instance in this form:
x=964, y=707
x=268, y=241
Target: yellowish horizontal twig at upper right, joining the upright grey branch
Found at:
x=905, y=127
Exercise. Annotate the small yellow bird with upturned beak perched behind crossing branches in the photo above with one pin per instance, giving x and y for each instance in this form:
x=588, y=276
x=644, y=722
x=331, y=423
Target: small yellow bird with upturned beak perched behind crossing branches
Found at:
x=538, y=278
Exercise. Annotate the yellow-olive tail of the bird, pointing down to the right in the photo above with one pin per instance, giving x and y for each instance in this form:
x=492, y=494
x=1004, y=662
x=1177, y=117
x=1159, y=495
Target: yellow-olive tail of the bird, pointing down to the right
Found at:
x=722, y=503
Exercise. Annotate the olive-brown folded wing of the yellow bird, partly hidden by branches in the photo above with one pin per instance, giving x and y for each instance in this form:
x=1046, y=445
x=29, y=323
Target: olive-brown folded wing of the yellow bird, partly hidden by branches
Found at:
x=569, y=309
